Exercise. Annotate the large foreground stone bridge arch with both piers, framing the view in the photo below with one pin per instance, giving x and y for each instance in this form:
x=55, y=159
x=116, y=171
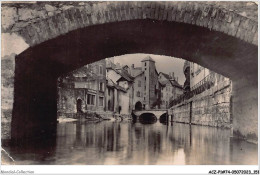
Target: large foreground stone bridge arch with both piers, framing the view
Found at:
x=220, y=39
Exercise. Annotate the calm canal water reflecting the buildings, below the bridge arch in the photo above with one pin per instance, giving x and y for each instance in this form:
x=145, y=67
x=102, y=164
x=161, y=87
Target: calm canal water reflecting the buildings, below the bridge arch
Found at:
x=126, y=142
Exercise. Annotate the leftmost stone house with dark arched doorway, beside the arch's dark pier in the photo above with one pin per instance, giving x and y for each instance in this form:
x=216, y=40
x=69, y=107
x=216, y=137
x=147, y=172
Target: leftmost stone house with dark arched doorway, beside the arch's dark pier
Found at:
x=83, y=90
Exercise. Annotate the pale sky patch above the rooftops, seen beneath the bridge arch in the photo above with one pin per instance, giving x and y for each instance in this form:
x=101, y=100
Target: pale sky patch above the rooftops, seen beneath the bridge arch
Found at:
x=163, y=64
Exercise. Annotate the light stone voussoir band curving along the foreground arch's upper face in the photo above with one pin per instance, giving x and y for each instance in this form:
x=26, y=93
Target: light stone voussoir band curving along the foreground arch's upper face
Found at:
x=37, y=29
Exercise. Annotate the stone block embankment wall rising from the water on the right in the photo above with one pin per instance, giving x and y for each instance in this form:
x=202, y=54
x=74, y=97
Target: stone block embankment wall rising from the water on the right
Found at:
x=210, y=108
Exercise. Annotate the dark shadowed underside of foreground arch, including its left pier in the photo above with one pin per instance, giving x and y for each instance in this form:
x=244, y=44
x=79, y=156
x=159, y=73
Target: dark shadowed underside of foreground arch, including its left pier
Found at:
x=38, y=67
